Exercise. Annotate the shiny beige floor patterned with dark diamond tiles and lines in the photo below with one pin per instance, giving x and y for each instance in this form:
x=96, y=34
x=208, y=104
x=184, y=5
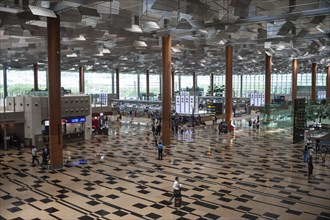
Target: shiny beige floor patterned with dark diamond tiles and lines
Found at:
x=249, y=174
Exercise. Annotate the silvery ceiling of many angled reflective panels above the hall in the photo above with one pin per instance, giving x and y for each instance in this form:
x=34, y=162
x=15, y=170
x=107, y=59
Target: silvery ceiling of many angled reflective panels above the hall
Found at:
x=104, y=35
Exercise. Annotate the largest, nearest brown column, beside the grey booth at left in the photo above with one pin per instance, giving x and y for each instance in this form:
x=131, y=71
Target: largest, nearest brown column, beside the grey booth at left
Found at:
x=54, y=93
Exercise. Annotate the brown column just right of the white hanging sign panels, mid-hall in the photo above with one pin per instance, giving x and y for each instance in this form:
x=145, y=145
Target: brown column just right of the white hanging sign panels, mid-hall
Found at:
x=229, y=85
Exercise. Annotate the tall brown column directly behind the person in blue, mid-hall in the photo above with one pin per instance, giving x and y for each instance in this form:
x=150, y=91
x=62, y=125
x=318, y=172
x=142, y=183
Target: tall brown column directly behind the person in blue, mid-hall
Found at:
x=166, y=90
